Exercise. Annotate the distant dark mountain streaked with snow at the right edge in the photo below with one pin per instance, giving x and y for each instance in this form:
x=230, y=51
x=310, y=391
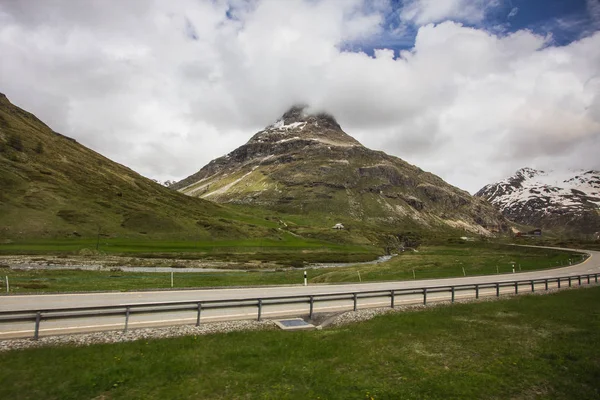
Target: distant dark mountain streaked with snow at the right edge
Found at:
x=552, y=199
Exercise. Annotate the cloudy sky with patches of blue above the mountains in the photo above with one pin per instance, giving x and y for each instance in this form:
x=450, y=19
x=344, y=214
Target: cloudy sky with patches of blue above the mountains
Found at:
x=470, y=90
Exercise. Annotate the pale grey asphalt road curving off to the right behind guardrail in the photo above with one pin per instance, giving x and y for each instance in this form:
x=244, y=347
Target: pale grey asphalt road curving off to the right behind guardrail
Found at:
x=33, y=302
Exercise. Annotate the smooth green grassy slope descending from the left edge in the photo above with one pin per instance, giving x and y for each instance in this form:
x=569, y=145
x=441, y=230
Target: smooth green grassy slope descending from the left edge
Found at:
x=52, y=186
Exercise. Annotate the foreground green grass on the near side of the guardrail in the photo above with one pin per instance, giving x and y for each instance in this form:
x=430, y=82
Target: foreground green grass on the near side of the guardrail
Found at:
x=525, y=347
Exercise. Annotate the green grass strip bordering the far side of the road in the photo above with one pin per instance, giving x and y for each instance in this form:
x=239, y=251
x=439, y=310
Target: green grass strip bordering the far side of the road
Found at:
x=429, y=262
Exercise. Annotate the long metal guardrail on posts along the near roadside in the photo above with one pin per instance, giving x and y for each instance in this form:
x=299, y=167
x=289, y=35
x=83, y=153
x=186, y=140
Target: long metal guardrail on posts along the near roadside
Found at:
x=39, y=315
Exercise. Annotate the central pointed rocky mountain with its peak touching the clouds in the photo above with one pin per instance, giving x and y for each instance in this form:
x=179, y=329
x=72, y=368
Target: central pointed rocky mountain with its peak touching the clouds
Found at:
x=306, y=164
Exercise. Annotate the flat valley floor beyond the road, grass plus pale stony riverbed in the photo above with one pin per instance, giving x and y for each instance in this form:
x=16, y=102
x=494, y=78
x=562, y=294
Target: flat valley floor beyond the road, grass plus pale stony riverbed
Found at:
x=427, y=263
